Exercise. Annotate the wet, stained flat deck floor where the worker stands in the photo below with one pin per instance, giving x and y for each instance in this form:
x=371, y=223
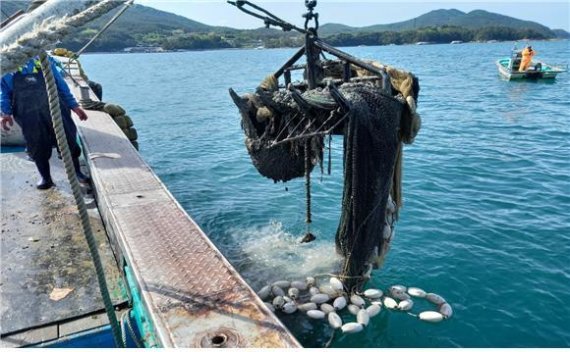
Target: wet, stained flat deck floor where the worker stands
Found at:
x=43, y=248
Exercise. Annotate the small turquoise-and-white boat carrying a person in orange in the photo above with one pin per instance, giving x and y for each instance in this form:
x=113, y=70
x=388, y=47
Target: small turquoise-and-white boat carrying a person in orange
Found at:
x=509, y=68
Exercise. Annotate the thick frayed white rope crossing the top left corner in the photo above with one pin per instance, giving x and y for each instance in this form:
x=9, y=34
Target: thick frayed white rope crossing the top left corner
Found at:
x=48, y=32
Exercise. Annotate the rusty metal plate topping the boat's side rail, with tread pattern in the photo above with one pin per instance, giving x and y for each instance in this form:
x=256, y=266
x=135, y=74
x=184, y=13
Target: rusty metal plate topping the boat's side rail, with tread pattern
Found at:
x=194, y=296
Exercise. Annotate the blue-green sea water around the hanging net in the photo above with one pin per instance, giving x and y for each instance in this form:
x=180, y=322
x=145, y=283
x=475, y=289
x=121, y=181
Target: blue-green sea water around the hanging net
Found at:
x=486, y=221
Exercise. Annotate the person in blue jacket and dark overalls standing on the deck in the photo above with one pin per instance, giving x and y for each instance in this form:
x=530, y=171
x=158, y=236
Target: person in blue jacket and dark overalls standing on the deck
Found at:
x=24, y=99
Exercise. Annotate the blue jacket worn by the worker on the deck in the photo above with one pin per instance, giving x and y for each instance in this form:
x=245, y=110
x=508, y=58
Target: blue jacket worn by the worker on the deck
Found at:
x=32, y=67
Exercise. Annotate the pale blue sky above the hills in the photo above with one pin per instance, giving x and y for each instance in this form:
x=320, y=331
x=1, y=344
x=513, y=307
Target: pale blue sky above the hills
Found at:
x=554, y=14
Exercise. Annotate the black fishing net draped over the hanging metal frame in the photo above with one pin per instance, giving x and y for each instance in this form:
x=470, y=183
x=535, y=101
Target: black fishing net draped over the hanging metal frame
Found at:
x=279, y=122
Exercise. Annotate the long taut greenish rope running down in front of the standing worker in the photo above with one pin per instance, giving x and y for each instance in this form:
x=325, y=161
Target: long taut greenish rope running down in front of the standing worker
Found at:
x=57, y=121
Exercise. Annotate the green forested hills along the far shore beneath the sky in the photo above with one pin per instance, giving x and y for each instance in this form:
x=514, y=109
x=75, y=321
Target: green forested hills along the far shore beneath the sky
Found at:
x=142, y=26
